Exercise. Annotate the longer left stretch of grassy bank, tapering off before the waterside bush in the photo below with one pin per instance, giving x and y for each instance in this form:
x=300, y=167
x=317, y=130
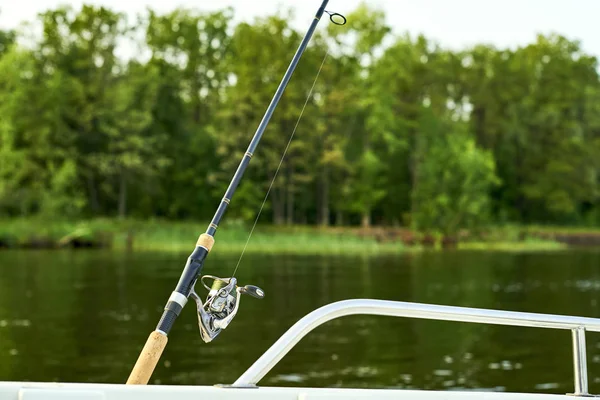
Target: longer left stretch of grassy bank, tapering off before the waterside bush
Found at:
x=181, y=236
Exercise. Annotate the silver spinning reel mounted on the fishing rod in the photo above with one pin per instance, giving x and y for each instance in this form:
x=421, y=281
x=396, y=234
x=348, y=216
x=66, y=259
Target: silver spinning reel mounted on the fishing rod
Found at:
x=221, y=305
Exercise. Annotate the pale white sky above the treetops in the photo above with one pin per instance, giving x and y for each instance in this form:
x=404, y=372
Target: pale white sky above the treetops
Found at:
x=452, y=23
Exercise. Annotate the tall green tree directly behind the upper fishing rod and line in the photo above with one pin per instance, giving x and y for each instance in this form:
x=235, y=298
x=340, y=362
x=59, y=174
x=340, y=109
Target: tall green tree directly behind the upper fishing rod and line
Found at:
x=257, y=71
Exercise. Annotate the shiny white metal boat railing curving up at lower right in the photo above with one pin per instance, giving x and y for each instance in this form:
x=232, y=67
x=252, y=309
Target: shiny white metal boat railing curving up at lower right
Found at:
x=577, y=325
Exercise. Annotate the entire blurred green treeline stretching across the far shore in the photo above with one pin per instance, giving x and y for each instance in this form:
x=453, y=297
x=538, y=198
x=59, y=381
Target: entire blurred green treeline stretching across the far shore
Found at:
x=399, y=131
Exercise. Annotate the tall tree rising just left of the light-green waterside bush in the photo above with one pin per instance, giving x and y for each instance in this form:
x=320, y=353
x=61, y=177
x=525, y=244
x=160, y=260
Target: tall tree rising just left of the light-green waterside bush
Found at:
x=411, y=74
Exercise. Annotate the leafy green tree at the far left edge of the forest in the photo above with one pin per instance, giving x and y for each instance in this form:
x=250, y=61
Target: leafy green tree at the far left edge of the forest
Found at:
x=38, y=173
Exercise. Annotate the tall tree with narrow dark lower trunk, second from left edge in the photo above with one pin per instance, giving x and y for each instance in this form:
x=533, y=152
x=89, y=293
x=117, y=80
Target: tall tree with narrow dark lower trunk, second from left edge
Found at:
x=80, y=47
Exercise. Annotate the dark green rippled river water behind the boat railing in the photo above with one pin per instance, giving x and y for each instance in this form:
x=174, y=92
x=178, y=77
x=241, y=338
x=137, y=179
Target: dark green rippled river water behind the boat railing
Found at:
x=82, y=316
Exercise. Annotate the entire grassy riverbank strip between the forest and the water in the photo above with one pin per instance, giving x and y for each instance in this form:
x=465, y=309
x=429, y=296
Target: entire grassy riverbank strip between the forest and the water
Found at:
x=158, y=235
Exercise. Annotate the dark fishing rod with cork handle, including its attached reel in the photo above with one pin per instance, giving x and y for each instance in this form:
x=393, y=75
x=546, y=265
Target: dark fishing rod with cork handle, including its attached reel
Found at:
x=223, y=299
